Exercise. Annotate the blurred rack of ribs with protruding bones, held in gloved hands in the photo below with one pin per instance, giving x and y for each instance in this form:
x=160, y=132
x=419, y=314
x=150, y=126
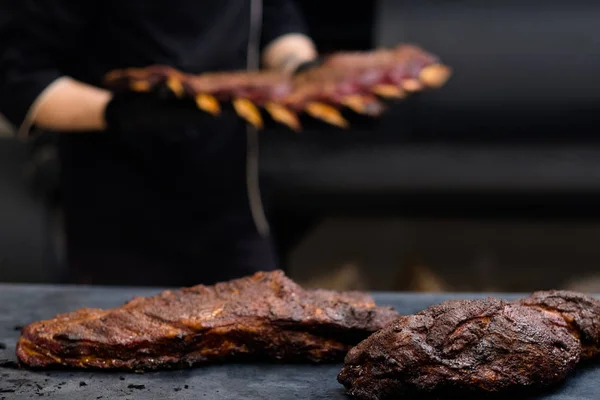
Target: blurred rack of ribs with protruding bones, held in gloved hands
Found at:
x=356, y=81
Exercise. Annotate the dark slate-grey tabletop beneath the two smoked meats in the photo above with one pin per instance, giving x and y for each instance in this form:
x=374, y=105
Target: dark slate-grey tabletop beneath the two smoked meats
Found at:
x=20, y=305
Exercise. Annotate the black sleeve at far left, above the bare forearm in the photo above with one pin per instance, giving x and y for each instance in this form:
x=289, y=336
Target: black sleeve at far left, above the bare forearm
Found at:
x=37, y=39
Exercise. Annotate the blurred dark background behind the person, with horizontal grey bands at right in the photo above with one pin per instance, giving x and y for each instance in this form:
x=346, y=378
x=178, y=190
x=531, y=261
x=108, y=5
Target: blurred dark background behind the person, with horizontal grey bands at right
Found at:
x=490, y=184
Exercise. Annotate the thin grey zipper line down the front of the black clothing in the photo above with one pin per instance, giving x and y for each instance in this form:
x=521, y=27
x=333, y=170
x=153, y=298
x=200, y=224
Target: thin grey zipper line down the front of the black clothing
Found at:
x=252, y=168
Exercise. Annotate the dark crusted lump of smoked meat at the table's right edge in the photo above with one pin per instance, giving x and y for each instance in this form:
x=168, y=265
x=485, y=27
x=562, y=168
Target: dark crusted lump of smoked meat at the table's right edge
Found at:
x=476, y=347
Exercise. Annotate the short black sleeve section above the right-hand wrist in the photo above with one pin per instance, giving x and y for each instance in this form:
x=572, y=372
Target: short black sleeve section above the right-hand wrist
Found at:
x=281, y=17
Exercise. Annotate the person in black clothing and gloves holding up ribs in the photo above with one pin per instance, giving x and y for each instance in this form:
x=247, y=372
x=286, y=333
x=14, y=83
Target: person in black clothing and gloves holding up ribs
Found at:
x=153, y=193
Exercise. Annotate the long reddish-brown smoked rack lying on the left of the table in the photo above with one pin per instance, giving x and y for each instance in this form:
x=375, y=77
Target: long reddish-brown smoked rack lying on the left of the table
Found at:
x=264, y=317
